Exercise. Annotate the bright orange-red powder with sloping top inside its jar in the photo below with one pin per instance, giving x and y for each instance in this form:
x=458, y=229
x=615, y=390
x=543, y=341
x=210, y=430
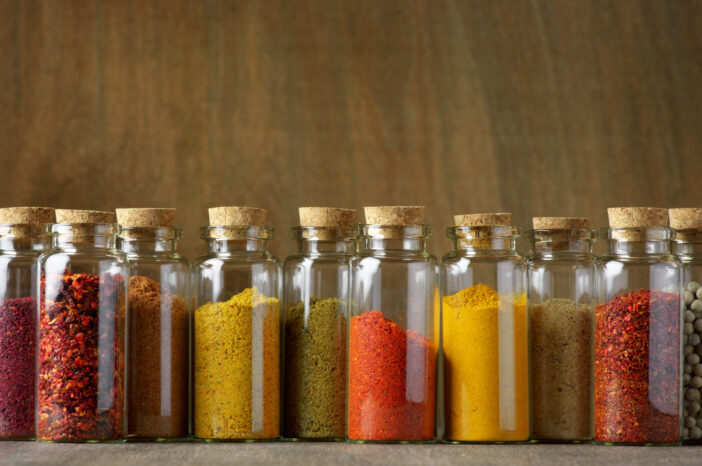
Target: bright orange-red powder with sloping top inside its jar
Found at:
x=392, y=381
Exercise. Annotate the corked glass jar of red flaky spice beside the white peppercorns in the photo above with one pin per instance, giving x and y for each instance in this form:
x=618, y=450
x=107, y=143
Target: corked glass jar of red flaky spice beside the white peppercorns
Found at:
x=637, y=332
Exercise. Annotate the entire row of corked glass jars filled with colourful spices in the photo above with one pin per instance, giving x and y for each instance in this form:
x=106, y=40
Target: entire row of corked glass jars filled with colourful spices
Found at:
x=370, y=328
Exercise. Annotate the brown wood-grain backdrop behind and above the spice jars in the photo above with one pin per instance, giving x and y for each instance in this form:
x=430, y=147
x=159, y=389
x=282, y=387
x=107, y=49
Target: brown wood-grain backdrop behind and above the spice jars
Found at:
x=542, y=107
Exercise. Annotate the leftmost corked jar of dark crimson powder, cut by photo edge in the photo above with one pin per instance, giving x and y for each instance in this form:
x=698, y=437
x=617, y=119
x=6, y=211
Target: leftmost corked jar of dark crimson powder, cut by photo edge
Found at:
x=24, y=235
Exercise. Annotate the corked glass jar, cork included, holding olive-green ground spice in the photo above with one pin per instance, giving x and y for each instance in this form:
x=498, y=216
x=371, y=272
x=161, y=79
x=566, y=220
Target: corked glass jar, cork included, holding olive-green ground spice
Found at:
x=317, y=281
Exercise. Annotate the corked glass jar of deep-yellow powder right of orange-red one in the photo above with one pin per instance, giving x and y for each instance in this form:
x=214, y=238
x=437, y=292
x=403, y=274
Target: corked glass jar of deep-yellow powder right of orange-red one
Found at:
x=484, y=332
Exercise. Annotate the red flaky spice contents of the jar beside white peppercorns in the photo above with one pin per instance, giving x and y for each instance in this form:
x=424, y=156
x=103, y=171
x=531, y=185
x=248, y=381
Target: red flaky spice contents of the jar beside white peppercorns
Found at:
x=637, y=373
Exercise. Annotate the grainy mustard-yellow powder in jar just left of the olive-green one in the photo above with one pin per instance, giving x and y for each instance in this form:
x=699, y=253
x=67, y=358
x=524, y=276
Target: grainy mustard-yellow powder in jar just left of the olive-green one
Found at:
x=236, y=368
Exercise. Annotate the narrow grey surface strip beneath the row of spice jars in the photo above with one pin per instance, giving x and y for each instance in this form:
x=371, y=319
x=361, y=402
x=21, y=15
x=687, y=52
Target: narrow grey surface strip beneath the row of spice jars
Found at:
x=311, y=454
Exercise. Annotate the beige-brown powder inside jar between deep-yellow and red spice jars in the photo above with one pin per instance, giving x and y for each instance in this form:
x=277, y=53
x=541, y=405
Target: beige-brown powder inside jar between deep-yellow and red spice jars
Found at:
x=561, y=366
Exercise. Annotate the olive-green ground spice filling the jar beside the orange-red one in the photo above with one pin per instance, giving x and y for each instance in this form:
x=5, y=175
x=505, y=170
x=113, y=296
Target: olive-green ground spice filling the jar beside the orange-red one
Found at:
x=315, y=376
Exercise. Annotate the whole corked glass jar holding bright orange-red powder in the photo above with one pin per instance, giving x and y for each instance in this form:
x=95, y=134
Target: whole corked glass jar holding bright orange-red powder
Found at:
x=393, y=338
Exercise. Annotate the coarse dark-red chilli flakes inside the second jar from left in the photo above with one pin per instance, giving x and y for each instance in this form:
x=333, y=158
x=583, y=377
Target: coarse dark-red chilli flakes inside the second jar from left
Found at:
x=81, y=358
